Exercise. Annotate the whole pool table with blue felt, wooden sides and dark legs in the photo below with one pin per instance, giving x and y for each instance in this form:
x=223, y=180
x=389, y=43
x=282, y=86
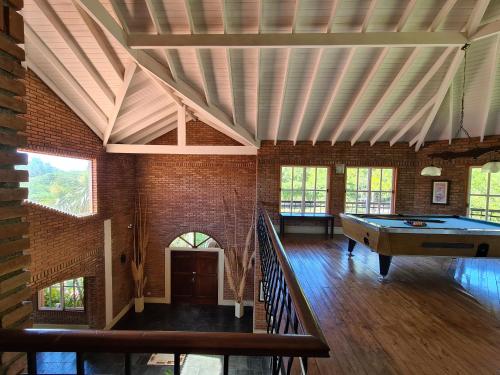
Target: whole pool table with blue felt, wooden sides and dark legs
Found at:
x=421, y=235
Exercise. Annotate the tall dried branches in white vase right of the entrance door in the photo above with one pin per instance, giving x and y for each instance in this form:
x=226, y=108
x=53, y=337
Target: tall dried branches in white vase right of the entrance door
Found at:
x=238, y=257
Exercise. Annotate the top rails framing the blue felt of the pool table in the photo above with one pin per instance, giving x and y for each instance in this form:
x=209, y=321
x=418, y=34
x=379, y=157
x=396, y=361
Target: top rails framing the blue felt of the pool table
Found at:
x=363, y=219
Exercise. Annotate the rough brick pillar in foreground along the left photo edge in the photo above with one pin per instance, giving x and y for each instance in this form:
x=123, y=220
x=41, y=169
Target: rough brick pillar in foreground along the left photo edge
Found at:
x=15, y=295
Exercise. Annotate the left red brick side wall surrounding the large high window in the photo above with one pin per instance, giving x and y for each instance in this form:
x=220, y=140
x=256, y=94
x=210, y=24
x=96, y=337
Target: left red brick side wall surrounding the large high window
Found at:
x=63, y=246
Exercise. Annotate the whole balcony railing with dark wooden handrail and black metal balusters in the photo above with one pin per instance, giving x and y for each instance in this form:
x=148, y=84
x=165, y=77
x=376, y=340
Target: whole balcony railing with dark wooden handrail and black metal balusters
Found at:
x=292, y=327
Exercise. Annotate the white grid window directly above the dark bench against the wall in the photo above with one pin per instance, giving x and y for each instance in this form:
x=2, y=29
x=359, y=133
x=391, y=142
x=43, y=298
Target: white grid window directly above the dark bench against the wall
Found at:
x=304, y=189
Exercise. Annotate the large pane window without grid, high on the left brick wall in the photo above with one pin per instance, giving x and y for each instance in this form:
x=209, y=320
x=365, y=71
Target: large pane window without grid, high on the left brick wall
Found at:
x=61, y=183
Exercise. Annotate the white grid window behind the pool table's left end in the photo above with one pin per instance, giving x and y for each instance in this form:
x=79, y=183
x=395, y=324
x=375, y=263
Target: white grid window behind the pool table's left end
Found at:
x=369, y=190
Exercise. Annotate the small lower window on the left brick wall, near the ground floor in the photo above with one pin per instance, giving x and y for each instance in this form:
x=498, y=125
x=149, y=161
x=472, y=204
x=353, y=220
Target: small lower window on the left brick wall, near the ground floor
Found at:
x=66, y=295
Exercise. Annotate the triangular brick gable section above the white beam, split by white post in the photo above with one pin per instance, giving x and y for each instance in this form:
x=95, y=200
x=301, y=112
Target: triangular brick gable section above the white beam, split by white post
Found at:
x=197, y=133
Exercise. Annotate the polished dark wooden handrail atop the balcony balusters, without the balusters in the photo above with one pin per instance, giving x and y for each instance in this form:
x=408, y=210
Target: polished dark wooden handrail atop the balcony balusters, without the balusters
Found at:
x=311, y=343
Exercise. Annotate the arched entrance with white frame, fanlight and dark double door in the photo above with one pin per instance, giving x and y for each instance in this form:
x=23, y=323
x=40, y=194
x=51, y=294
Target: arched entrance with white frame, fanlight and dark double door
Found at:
x=194, y=269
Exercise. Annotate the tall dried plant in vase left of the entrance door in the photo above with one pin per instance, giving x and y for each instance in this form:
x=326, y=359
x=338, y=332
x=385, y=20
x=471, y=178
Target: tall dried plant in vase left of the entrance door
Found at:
x=140, y=244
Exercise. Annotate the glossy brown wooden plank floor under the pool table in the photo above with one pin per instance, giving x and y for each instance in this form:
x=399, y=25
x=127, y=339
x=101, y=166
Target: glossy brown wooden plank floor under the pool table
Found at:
x=419, y=321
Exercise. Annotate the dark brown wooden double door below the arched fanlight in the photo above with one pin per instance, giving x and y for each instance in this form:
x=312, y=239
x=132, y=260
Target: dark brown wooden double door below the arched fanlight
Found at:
x=194, y=277
